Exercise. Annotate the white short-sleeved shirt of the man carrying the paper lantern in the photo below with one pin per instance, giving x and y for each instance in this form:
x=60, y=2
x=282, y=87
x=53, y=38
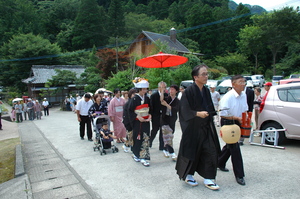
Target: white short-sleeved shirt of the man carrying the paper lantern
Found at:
x=236, y=103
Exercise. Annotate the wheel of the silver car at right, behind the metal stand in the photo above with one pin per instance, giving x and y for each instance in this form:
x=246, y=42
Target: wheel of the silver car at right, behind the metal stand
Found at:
x=270, y=136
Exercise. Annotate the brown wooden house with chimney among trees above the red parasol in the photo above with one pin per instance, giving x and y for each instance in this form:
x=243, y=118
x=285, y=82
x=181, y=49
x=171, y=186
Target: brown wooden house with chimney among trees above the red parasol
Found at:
x=146, y=42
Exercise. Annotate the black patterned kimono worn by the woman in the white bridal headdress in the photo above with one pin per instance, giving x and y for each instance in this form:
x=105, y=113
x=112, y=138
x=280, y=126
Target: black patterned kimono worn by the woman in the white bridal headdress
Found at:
x=141, y=130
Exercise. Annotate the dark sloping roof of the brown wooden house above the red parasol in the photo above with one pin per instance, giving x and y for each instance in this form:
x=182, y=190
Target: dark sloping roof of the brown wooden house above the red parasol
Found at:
x=177, y=46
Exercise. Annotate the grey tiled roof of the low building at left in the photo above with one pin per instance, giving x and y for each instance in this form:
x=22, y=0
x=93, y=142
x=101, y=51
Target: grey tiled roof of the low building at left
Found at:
x=41, y=73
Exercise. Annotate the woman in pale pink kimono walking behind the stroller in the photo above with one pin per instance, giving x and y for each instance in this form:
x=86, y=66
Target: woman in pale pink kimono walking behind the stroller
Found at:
x=115, y=112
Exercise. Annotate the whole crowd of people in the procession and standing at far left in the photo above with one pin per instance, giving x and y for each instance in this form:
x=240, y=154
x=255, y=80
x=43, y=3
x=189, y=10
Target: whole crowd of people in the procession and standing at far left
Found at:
x=200, y=111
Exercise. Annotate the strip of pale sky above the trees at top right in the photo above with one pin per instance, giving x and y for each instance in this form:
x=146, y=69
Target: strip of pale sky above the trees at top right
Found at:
x=271, y=4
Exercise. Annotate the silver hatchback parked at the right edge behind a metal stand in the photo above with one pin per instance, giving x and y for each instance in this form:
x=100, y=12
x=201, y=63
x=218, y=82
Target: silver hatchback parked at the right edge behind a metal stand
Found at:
x=281, y=110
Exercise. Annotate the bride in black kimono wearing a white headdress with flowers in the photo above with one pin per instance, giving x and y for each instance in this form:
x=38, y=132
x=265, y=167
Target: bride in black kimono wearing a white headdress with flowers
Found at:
x=139, y=118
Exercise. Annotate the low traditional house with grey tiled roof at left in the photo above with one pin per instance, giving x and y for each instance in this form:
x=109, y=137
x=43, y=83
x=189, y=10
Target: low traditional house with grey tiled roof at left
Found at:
x=40, y=74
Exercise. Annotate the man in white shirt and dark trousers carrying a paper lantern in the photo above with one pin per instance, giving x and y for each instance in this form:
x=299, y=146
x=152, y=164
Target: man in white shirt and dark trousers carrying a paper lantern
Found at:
x=235, y=103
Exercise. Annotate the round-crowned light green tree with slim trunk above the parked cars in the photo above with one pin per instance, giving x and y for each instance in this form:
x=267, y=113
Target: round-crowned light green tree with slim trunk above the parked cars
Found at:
x=251, y=42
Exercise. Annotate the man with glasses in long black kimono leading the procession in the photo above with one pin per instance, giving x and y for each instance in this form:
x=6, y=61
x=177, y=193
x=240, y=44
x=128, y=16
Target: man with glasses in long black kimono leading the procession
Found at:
x=199, y=146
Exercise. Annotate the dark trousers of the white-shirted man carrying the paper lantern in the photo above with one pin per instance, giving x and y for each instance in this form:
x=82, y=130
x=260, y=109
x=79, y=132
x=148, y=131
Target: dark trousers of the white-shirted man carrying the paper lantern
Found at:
x=234, y=151
